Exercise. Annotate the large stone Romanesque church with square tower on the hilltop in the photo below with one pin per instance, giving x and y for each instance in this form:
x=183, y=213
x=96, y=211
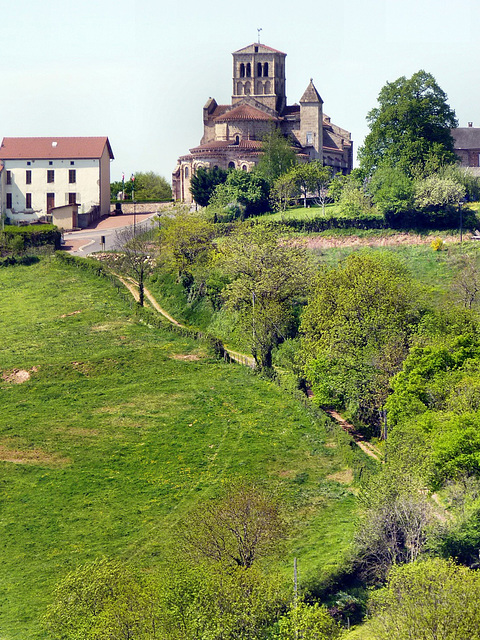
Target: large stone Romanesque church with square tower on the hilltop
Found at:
x=233, y=133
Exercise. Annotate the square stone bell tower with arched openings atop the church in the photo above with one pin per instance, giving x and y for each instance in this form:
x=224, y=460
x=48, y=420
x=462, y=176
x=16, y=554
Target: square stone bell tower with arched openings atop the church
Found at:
x=259, y=71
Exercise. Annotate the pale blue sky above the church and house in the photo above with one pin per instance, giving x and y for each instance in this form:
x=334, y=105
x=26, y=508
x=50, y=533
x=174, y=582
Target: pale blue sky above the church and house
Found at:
x=140, y=71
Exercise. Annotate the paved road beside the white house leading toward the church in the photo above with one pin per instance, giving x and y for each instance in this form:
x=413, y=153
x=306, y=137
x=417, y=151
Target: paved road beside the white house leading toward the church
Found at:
x=86, y=241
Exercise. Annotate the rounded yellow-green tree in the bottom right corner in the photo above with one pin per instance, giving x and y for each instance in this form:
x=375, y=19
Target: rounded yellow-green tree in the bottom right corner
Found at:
x=427, y=600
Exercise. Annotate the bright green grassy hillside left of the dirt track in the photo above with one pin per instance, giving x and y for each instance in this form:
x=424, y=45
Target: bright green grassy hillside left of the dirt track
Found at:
x=122, y=428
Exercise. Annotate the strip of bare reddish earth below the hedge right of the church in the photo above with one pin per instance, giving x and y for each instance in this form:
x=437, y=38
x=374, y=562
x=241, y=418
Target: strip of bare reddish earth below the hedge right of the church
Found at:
x=395, y=240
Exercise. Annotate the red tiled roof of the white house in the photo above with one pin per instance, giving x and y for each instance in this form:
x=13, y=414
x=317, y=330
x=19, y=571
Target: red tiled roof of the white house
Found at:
x=64, y=148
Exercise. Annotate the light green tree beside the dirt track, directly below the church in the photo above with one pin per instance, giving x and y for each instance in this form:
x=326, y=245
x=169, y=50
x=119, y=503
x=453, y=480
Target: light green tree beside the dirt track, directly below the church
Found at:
x=270, y=275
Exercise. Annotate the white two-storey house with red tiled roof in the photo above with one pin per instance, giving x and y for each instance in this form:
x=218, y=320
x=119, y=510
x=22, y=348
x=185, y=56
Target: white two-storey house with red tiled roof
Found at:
x=40, y=174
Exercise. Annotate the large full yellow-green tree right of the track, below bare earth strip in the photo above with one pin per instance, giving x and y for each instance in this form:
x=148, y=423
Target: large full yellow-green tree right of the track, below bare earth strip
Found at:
x=355, y=332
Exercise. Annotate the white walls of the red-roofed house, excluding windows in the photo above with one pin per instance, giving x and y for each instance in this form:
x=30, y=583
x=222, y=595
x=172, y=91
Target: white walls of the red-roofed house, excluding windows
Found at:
x=86, y=186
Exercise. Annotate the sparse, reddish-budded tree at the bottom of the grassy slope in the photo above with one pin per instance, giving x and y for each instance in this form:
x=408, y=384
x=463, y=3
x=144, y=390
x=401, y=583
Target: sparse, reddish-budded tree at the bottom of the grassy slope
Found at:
x=237, y=529
